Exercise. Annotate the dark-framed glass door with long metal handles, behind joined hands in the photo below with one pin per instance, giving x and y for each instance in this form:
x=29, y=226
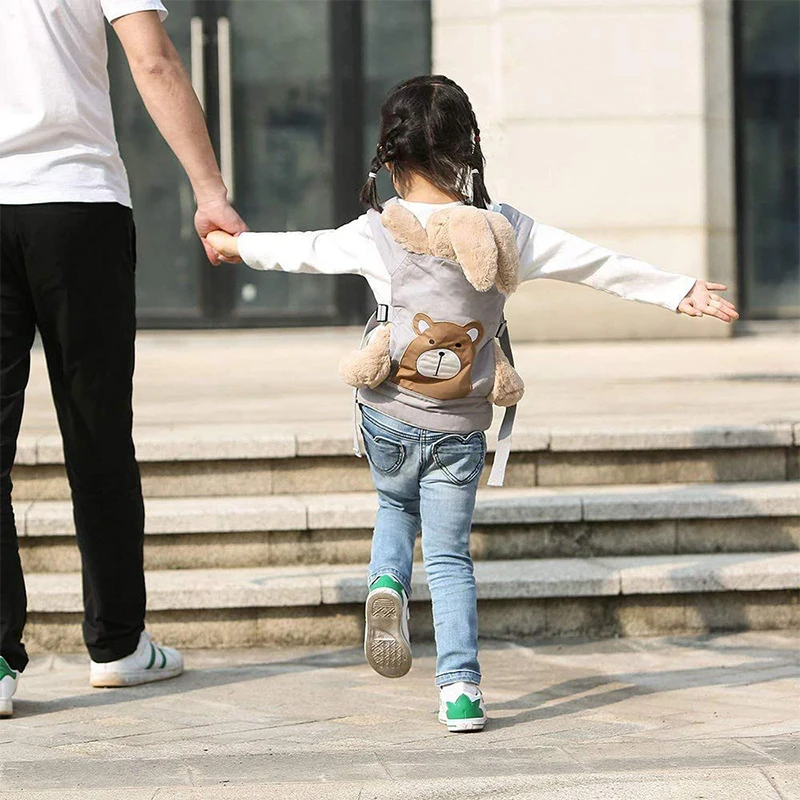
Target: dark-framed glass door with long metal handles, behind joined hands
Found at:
x=291, y=88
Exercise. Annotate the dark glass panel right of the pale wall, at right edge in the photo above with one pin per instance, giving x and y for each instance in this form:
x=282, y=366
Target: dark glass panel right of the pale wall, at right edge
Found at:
x=767, y=38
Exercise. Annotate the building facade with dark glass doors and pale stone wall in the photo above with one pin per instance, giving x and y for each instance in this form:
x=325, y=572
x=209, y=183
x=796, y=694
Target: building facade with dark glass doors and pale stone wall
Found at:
x=666, y=129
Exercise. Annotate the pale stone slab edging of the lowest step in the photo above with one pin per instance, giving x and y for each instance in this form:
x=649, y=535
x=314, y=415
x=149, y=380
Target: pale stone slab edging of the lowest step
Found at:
x=269, y=587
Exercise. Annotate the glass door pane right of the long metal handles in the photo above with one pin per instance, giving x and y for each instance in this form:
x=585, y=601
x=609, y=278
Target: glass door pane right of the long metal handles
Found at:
x=282, y=133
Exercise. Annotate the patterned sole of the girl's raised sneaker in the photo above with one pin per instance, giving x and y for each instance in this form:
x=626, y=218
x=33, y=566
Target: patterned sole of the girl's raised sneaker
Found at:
x=387, y=650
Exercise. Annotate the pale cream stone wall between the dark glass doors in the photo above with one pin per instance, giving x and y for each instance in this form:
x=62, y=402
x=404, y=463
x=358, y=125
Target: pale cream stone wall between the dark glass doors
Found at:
x=611, y=119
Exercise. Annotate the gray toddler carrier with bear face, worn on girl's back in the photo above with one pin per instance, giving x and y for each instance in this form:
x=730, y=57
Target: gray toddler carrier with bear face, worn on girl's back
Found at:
x=439, y=356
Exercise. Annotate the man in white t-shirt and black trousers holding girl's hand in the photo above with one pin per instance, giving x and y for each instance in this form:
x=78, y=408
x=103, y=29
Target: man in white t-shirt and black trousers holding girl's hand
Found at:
x=67, y=262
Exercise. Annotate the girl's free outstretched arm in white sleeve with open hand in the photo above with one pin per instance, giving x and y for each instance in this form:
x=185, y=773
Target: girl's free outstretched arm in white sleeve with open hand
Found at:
x=558, y=255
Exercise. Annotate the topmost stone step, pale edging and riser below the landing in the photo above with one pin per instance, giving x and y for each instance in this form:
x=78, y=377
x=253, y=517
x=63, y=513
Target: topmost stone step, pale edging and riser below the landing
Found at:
x=191, y=461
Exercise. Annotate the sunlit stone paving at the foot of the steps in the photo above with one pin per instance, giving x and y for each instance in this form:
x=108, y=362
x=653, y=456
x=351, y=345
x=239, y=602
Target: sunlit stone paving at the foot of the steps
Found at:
x=654, y=719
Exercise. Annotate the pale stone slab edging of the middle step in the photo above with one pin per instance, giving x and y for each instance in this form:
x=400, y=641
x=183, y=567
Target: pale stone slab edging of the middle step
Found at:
x=349, y=511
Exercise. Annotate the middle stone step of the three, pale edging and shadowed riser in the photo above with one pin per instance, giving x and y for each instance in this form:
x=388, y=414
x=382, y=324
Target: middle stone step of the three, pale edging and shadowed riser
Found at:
x=509, y=523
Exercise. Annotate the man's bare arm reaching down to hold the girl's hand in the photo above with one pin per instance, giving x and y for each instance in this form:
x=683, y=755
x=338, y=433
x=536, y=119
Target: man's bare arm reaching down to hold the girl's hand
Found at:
x=170, y=100
